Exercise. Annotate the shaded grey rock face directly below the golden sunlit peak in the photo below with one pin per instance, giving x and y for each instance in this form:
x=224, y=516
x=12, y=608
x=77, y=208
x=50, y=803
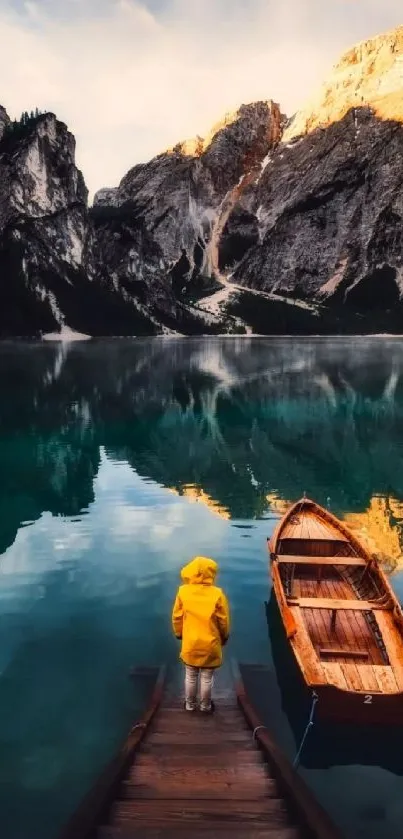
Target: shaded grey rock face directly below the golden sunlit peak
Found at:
x=329, y=210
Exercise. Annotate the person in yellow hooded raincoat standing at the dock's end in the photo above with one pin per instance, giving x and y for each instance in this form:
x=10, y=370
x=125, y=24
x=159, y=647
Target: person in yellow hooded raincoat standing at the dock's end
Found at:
x=200, y=619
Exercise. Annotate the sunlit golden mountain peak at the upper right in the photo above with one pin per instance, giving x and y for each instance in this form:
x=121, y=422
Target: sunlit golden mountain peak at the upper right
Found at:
x=370, y=74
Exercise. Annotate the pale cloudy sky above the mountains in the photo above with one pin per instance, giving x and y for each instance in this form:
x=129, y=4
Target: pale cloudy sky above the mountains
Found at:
x=131, y=78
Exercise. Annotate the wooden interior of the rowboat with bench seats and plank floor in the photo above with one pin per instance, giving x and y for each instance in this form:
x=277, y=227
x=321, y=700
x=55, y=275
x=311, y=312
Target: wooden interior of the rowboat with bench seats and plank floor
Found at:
x=340, y=598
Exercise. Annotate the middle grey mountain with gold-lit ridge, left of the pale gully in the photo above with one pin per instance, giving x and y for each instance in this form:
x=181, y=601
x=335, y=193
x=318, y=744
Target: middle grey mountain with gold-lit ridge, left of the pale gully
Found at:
x=169, y=207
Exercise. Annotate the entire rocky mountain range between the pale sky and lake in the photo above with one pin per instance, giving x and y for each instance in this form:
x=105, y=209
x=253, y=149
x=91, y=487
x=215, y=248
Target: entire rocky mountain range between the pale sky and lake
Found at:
x=266, y=225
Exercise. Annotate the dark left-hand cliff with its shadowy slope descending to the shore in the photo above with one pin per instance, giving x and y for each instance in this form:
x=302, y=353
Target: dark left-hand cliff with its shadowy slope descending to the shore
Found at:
x=47, y=271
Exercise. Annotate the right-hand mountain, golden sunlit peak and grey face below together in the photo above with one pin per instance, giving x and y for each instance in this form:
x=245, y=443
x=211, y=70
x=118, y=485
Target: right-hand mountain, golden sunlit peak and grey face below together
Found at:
x=329, y=205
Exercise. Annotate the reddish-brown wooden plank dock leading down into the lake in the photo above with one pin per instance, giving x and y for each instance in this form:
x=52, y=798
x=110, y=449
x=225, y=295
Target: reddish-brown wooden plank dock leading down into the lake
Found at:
x=188, y=775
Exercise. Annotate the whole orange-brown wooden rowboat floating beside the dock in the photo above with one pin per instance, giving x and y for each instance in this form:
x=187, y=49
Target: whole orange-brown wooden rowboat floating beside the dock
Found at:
x=341, y=617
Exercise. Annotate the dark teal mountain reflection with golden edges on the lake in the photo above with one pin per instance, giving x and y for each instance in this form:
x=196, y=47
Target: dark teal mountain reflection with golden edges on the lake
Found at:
x=240, y=424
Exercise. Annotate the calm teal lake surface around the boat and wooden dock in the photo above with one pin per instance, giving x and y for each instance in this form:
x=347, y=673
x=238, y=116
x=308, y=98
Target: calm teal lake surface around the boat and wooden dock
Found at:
x=119, y=460
